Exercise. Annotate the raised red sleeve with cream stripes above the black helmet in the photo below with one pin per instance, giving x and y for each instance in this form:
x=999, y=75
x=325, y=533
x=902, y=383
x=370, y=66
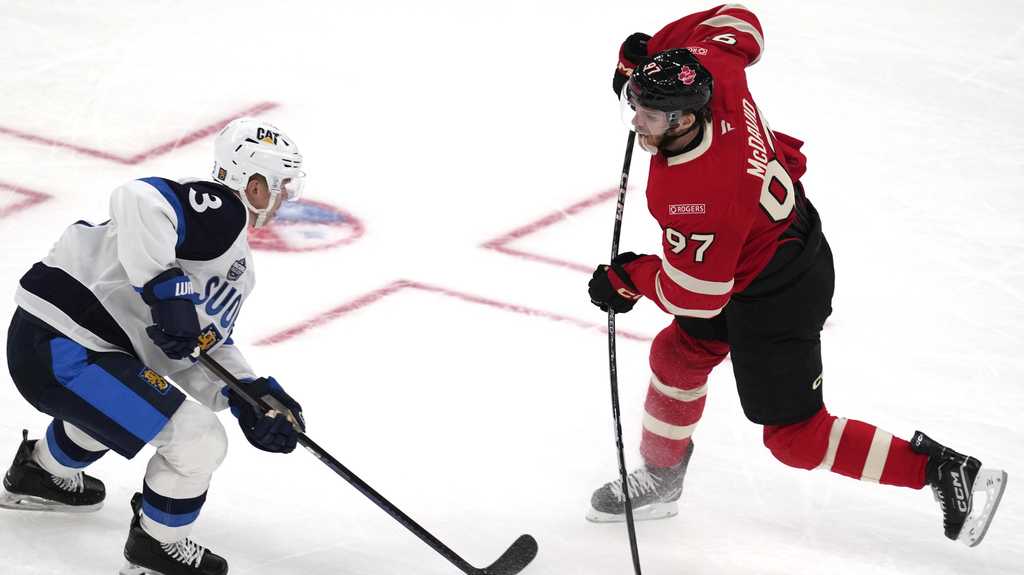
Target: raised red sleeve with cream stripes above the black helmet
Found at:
x=730, y=28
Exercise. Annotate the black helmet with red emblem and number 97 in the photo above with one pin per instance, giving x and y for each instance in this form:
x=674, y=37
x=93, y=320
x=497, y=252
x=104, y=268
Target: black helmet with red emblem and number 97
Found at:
x=670, y=81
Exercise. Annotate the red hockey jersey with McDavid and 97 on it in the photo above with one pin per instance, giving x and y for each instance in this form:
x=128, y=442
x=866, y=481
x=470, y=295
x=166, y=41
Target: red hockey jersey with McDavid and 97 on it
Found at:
x=723, y=205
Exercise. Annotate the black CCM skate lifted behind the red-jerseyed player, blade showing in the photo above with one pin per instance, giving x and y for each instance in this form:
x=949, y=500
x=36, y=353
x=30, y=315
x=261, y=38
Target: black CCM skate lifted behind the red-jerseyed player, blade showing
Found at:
x=957, y=481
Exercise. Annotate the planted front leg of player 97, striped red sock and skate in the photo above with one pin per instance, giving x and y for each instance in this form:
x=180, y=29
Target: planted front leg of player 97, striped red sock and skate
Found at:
x=680, y=364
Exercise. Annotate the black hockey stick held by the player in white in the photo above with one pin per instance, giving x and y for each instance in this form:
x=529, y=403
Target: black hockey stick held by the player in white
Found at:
x=513, y=561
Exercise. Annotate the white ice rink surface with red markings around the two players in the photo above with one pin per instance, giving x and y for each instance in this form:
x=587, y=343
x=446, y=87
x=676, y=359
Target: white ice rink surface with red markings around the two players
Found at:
x=446, y=350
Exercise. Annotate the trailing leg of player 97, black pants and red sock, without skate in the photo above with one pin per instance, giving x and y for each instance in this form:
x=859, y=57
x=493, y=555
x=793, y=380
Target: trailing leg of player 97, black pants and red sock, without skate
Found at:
x=777, y=358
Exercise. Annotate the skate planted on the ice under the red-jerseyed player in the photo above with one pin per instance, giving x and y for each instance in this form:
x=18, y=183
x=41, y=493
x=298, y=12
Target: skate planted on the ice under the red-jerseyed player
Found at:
x=654, y=493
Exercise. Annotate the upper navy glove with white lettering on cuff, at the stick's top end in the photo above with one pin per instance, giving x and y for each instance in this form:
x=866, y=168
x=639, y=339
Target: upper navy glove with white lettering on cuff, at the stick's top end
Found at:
x=173, y=303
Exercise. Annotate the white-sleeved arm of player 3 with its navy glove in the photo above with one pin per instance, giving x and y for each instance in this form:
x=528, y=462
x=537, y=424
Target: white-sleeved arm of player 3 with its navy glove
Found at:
x=151, y=225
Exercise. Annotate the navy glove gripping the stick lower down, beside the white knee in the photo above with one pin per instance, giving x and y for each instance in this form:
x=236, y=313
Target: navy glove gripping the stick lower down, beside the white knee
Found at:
x=277, y=433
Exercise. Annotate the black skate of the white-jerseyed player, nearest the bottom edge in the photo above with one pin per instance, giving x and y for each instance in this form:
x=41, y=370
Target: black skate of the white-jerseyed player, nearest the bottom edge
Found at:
x=149, y=557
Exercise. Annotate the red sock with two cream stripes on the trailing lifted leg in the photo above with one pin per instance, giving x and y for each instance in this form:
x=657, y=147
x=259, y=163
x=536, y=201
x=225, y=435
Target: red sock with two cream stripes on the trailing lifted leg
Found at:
x=848, y=448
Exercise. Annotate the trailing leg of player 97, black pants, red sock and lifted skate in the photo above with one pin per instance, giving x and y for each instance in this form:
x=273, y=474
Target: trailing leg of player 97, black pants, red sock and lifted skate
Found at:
x=777, y=357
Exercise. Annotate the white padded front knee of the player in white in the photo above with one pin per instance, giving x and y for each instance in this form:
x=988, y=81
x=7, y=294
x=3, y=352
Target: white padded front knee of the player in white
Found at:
x=199, y=444
